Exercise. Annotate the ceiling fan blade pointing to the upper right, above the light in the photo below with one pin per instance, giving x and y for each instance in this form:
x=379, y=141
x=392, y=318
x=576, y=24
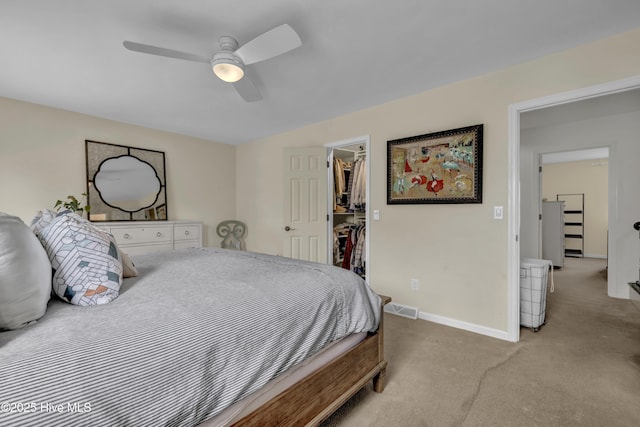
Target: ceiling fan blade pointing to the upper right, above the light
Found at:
x=272, y=43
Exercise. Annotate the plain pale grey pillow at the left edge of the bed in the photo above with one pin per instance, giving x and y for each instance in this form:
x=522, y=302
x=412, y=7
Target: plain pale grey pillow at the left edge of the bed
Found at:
x=25, y=274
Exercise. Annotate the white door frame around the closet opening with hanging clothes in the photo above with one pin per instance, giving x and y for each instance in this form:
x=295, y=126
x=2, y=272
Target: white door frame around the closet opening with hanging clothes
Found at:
x=358, y=140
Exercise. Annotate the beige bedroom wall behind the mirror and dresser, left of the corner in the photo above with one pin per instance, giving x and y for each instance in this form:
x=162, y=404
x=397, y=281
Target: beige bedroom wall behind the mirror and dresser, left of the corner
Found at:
x=42, y=159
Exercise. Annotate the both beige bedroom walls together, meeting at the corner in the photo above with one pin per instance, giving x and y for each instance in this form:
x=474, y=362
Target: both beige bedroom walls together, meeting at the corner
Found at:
x=458, y=252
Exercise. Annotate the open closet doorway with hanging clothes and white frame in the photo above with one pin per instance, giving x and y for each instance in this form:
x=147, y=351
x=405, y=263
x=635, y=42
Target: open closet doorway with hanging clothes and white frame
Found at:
x=348, y=204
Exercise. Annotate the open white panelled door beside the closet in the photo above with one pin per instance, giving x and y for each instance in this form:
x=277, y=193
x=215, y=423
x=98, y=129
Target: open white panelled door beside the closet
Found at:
x=305, y=204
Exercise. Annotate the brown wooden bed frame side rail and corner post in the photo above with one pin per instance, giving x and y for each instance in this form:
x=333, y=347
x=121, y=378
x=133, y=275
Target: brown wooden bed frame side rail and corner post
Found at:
x=316, y=397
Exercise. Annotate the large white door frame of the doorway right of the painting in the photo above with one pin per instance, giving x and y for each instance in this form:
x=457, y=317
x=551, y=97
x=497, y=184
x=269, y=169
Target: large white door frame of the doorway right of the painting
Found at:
x=513, y=203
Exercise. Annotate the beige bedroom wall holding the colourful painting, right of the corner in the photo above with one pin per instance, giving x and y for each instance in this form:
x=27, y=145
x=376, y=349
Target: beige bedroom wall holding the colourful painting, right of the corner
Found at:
x=458, y=252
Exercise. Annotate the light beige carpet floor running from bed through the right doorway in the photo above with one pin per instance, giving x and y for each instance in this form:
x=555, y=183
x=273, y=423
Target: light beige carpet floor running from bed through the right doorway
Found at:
x=581, y=369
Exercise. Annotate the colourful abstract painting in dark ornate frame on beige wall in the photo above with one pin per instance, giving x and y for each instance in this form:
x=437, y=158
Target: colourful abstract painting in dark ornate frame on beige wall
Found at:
x=436, y=168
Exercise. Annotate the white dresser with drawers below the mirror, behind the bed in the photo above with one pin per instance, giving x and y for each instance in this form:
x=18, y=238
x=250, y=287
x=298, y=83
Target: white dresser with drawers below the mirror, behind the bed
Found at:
x=139, y=237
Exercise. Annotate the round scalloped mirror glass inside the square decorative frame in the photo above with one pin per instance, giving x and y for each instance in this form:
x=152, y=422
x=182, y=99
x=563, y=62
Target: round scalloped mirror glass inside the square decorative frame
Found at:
x=127, y=183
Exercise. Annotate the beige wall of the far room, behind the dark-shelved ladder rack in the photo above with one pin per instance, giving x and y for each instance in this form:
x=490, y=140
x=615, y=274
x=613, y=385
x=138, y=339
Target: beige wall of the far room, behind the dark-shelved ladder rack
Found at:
x=590, y=177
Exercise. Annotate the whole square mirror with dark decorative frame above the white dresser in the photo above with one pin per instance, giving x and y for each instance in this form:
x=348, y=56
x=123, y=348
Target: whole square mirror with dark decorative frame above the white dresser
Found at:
x=125, y=183
